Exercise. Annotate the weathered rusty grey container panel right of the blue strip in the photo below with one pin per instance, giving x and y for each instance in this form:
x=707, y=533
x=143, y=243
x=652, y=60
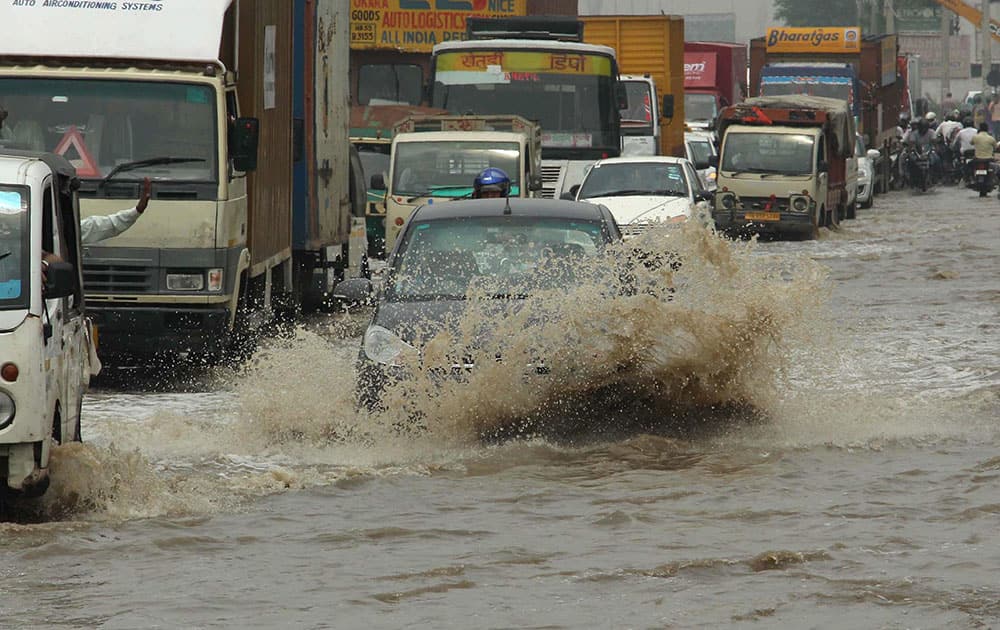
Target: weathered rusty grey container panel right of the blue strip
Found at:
x=329, y=171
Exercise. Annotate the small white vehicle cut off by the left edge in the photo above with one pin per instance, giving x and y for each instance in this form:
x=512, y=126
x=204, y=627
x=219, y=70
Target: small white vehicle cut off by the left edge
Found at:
x=47, y=353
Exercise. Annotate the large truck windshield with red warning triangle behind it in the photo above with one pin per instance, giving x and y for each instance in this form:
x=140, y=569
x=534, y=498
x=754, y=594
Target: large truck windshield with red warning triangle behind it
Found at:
x=98, y=125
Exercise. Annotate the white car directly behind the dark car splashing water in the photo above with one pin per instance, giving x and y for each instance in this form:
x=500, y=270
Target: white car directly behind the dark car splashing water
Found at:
x=643, y=192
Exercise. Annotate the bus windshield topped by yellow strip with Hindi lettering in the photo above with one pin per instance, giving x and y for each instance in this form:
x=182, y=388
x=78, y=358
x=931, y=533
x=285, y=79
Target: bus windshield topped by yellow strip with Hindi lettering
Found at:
x=570, y=94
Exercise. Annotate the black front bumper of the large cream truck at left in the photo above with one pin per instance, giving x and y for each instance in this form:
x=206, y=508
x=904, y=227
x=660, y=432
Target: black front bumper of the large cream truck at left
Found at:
x=159, y=329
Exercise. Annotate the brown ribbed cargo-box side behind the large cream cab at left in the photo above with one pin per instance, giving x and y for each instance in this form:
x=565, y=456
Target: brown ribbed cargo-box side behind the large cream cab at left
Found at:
x=264, y=80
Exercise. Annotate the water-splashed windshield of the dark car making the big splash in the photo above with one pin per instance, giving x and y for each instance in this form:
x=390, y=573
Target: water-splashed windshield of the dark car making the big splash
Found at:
x=504, y=256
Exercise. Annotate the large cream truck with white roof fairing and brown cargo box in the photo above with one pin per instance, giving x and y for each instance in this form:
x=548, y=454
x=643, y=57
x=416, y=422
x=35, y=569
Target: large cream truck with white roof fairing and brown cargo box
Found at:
x=134, y=100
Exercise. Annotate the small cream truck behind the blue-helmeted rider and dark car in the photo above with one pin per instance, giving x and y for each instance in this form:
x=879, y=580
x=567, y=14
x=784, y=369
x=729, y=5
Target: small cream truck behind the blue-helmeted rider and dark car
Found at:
x=437, y=158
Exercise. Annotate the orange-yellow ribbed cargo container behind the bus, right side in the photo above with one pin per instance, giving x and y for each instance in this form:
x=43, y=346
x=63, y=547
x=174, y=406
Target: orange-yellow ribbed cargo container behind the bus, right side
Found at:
x=647, y=46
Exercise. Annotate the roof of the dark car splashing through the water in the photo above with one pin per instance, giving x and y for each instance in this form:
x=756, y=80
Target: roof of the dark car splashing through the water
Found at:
x=548, y=208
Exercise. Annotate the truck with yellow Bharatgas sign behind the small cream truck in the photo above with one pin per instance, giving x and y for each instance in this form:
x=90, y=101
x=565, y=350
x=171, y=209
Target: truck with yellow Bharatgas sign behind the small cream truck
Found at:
x=834, y=62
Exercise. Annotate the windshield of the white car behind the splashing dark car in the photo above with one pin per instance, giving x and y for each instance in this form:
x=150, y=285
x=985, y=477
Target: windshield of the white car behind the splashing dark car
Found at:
x=635, y=178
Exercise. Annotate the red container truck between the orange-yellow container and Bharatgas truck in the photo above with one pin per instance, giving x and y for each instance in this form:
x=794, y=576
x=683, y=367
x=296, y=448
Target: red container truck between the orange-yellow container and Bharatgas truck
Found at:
x=715, y=76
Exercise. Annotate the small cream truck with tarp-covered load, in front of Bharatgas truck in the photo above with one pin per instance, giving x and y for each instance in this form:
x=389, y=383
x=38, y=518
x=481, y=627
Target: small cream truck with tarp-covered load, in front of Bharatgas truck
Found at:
x=783, y=166
